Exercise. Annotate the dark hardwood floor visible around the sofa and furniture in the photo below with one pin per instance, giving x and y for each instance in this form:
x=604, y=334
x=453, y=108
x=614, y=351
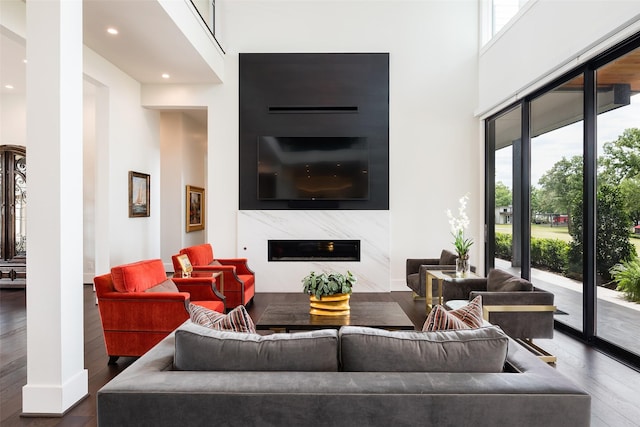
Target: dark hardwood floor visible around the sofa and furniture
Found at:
x=614, y=387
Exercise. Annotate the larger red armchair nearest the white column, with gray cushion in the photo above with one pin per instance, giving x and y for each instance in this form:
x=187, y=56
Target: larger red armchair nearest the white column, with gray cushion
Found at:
x=139, y=305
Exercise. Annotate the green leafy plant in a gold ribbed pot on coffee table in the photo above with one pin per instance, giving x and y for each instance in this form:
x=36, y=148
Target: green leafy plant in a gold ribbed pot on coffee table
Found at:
x=329, y=293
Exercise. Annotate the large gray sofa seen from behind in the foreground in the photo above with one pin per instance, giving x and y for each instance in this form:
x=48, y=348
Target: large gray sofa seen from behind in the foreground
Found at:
x=355, y=376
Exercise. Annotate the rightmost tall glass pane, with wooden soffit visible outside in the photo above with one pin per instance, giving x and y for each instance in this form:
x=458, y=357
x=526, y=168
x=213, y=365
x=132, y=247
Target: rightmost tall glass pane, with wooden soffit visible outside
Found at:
x=618, y=201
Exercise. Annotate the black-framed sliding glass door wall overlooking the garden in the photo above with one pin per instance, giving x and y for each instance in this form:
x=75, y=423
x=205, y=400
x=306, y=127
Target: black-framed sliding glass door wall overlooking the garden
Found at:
x=563, y=197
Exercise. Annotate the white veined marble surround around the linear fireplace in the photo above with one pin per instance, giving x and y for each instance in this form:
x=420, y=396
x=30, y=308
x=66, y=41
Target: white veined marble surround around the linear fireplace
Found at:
x=371, y=227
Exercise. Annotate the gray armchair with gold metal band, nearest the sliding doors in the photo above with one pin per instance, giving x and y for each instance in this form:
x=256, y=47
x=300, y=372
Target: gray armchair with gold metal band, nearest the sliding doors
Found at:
x=520, y=309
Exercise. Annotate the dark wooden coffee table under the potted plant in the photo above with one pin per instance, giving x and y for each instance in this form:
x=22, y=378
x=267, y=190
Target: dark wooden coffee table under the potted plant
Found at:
x=295, y=316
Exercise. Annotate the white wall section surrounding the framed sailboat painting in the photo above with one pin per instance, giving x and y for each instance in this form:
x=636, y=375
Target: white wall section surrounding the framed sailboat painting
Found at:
x=132, y=134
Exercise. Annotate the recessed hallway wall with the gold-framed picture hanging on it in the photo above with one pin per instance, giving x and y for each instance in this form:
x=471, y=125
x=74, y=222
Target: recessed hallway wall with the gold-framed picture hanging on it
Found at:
x=183, y=142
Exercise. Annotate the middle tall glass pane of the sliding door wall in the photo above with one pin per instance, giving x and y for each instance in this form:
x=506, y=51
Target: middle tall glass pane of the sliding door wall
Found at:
x=556, y=197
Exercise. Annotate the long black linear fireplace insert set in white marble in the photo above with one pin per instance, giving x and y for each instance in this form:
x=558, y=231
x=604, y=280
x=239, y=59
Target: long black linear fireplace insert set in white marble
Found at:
x=313, y=250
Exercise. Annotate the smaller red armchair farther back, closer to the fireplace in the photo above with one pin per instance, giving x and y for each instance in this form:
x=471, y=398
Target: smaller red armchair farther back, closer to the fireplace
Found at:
x=238, y=278
